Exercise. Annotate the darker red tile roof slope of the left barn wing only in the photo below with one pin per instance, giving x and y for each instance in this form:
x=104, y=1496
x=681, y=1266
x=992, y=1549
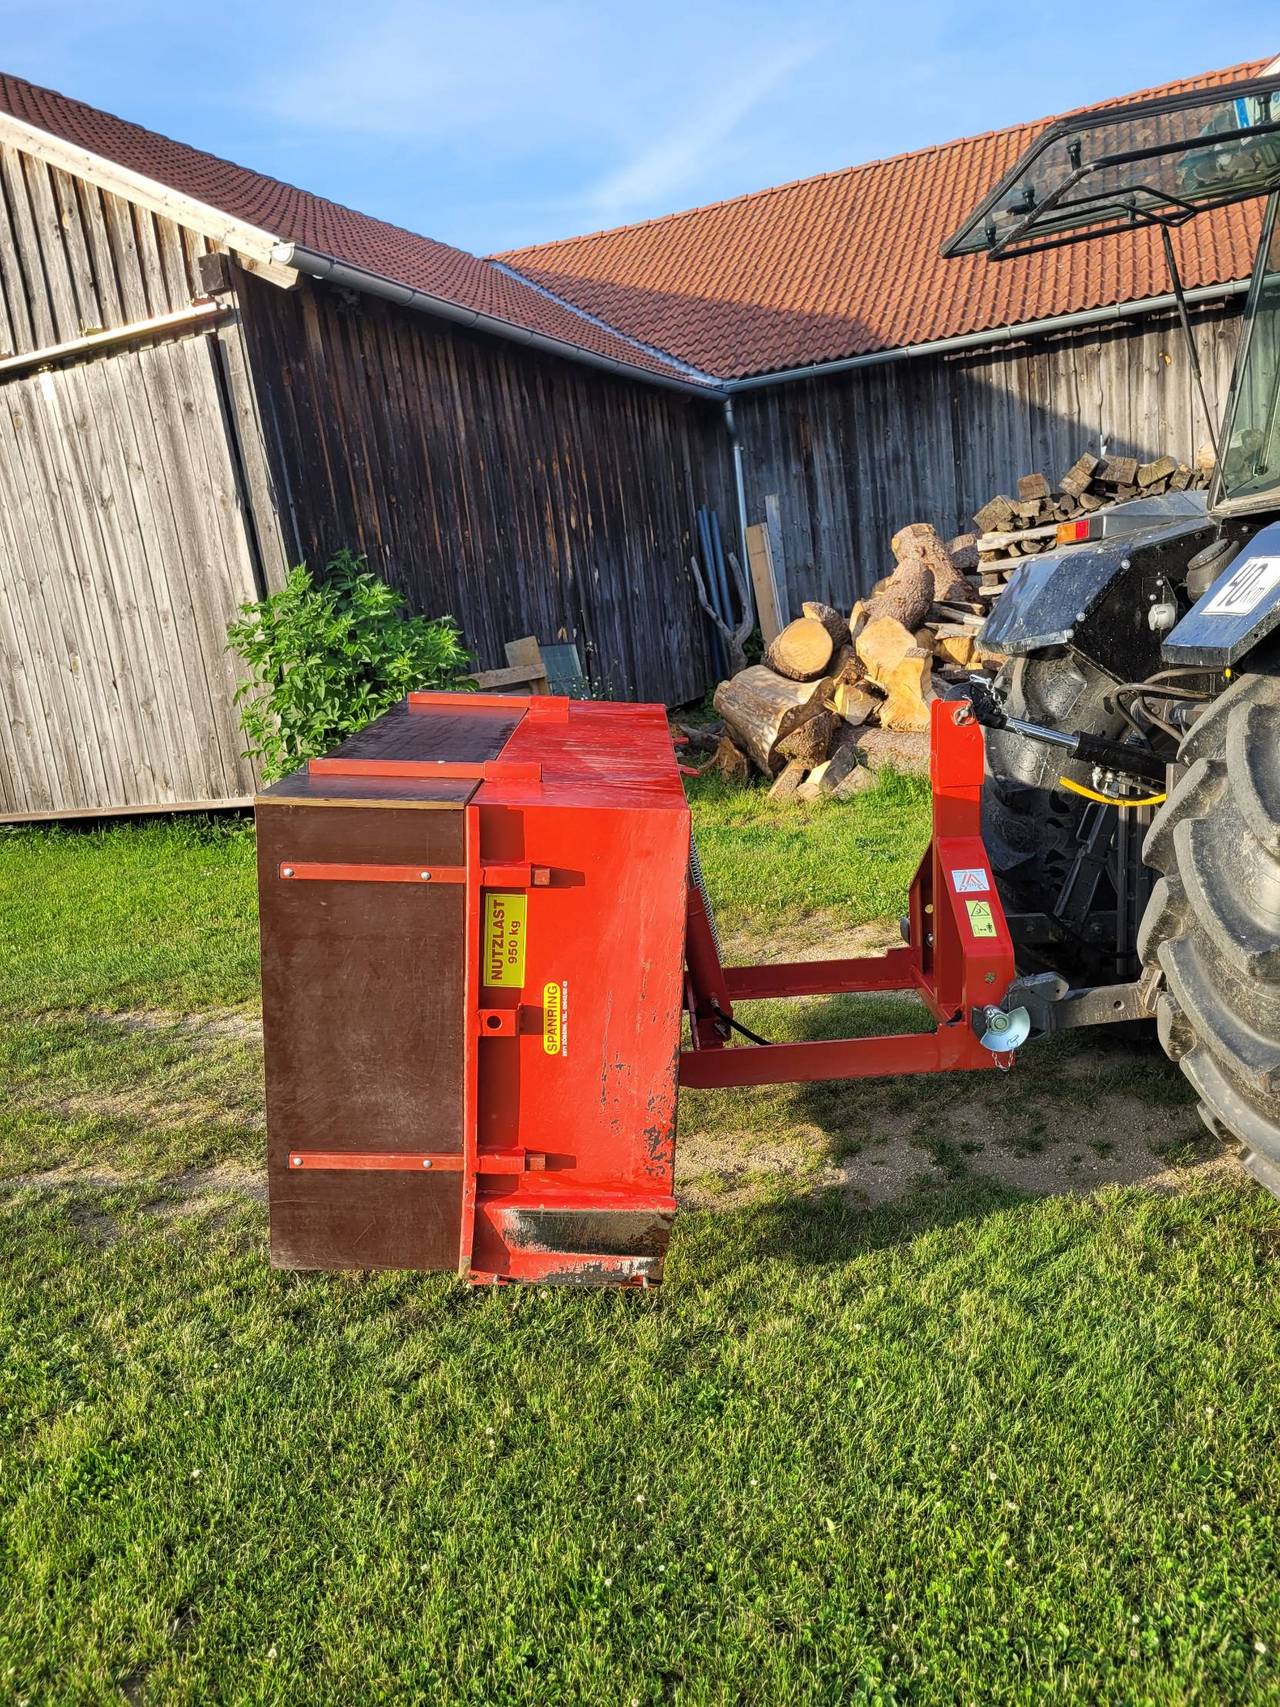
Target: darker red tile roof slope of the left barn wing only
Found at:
x=296, y=216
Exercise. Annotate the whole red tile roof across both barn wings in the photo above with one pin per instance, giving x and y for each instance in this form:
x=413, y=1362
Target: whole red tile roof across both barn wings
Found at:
x=839, y=265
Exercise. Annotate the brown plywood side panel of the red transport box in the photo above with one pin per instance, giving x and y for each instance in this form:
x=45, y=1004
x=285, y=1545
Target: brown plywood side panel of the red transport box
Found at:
x=364, y=1030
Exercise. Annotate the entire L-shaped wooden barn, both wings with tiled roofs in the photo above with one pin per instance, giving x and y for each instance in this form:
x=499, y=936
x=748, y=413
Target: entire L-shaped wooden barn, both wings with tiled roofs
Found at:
x=207, y=376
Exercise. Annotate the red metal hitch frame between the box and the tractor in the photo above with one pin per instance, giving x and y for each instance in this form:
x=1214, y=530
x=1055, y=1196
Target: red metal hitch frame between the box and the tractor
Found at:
x=958, y=958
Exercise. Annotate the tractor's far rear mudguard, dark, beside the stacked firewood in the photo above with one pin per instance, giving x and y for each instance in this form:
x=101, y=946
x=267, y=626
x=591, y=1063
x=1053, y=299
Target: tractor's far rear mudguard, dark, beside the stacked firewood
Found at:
x=1097, y=597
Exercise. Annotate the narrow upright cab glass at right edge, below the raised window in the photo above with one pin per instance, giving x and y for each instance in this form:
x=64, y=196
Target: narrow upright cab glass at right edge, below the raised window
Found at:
x=1250, y=463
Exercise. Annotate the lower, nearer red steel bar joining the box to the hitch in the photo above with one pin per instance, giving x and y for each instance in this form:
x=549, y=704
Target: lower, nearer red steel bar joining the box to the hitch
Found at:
x=950, y=1049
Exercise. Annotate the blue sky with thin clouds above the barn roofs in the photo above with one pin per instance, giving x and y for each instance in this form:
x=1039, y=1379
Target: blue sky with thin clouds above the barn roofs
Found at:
x=497, y=124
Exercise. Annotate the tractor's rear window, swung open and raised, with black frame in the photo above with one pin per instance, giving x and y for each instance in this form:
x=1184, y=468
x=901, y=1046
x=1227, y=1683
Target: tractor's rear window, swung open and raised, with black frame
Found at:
x=1141, y=165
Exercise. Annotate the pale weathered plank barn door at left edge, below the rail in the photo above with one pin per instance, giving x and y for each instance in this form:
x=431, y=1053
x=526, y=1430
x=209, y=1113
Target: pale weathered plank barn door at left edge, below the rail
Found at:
x=125, y=551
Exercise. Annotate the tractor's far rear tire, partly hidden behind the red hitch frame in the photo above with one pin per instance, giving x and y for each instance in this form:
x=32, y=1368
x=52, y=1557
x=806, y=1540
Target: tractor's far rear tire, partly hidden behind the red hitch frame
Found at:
x=1030, y=824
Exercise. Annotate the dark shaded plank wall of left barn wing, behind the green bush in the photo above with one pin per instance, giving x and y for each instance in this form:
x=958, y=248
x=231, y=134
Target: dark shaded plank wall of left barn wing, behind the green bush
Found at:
x=511, y=491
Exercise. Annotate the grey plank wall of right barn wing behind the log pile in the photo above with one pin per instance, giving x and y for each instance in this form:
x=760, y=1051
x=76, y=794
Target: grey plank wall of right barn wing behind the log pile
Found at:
x=859, y=455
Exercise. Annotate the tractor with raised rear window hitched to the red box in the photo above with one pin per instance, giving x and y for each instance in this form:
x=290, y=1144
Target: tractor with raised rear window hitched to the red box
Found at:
x=1132, y=796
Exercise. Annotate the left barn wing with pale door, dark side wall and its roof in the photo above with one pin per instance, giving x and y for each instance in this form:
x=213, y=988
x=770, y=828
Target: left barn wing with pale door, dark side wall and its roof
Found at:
x=207, y=376
